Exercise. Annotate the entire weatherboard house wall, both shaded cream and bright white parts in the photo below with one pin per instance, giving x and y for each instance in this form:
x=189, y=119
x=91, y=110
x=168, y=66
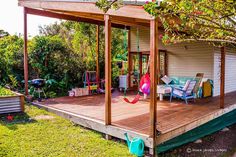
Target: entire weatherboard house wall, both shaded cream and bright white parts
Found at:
x=187, y=59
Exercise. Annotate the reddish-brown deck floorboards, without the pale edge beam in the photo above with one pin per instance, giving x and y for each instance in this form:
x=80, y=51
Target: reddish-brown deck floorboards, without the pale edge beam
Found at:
x=135, y=117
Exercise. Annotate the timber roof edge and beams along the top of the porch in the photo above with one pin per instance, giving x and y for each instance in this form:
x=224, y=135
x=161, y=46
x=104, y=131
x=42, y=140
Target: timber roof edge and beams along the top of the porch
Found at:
x=128, y=15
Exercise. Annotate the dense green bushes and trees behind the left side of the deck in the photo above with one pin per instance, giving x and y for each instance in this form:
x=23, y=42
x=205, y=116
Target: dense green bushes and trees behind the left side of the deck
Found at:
x=60, y=54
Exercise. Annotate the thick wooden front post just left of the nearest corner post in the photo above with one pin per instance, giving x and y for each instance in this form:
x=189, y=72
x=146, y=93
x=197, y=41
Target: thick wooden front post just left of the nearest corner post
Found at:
x=107, y=29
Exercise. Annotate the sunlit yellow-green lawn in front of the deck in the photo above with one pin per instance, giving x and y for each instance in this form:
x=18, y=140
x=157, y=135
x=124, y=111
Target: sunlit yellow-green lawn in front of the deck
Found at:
x=26, y=136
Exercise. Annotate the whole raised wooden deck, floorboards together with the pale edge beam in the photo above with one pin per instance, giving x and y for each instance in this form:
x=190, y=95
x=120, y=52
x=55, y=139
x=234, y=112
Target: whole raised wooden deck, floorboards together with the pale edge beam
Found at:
x=173, y=118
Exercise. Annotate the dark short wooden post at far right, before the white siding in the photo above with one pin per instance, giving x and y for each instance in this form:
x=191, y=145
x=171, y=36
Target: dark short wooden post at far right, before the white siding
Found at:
x=222, y=78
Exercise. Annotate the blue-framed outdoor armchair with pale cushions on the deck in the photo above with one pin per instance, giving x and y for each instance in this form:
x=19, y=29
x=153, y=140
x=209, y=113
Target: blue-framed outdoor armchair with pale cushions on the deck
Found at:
x=184, y=93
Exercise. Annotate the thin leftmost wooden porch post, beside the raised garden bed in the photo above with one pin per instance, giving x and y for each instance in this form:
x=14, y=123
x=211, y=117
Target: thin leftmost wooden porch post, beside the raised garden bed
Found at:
x=25, y=53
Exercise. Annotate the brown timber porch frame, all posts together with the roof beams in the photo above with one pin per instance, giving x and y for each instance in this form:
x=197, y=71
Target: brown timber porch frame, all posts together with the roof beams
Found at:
x=128, y=15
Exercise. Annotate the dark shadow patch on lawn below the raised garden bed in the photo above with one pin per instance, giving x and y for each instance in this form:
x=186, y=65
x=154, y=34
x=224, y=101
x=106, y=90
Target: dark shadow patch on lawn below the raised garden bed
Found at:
x=18, y=118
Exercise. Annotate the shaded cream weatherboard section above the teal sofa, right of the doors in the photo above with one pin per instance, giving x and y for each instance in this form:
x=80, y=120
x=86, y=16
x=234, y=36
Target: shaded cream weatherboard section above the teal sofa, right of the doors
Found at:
x=188, y=59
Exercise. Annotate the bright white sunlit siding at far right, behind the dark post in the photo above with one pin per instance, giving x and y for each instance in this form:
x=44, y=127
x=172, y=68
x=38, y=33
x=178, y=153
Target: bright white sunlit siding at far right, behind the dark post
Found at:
x=230, y=71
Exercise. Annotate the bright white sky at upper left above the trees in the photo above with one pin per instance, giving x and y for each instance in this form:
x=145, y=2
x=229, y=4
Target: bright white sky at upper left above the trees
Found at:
x=11, y=19
